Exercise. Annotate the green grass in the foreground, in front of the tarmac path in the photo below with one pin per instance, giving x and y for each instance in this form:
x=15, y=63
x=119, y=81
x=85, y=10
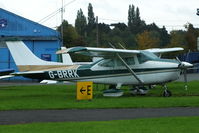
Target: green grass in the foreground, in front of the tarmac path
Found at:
x=147, y=125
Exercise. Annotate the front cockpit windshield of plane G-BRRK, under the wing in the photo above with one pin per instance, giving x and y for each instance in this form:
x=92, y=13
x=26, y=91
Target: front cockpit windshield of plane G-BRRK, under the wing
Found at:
x=145, y=56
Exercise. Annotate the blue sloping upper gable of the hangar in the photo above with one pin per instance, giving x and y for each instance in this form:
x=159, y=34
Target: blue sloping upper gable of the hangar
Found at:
x=12, y=25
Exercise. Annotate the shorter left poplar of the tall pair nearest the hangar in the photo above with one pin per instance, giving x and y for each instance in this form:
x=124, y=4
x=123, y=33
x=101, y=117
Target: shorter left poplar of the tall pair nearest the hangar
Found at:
x=81, y=23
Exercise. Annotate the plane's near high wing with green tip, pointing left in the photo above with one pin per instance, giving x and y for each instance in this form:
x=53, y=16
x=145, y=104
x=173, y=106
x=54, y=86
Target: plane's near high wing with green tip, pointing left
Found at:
x=99, y=52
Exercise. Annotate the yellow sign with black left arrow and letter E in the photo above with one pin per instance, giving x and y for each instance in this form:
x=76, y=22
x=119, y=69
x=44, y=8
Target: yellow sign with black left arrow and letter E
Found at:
x=84, y=90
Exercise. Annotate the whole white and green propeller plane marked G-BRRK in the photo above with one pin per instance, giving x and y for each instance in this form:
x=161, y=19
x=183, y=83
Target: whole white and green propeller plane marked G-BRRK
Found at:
x=139, y=69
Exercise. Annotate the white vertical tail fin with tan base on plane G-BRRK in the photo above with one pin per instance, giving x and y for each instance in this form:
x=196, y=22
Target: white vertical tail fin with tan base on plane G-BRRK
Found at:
x=26, y=60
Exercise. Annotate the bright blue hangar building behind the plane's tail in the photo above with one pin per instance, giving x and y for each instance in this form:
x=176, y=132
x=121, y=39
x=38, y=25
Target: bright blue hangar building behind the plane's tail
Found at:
x=41, y=40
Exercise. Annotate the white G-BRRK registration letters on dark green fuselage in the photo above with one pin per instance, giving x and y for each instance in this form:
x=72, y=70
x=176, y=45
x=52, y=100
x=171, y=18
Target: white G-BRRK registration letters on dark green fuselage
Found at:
x=63, y=74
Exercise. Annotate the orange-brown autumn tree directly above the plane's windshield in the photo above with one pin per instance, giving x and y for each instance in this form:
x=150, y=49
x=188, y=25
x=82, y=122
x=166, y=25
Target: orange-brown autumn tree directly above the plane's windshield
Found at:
x=147, y=39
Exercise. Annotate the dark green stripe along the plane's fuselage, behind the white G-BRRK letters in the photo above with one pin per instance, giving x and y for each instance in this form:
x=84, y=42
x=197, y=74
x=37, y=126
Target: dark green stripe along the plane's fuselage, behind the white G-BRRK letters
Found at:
x=85, y=72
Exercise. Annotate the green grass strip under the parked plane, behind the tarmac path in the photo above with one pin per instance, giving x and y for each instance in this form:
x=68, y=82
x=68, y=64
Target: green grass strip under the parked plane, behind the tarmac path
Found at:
x=64, y=96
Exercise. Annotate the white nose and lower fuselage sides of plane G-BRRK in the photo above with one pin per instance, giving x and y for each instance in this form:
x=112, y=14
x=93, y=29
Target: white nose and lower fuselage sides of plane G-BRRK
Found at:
x=150, y=72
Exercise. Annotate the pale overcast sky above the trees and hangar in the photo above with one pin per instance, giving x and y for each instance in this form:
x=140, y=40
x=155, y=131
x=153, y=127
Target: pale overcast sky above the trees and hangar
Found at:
x=171, y=13
